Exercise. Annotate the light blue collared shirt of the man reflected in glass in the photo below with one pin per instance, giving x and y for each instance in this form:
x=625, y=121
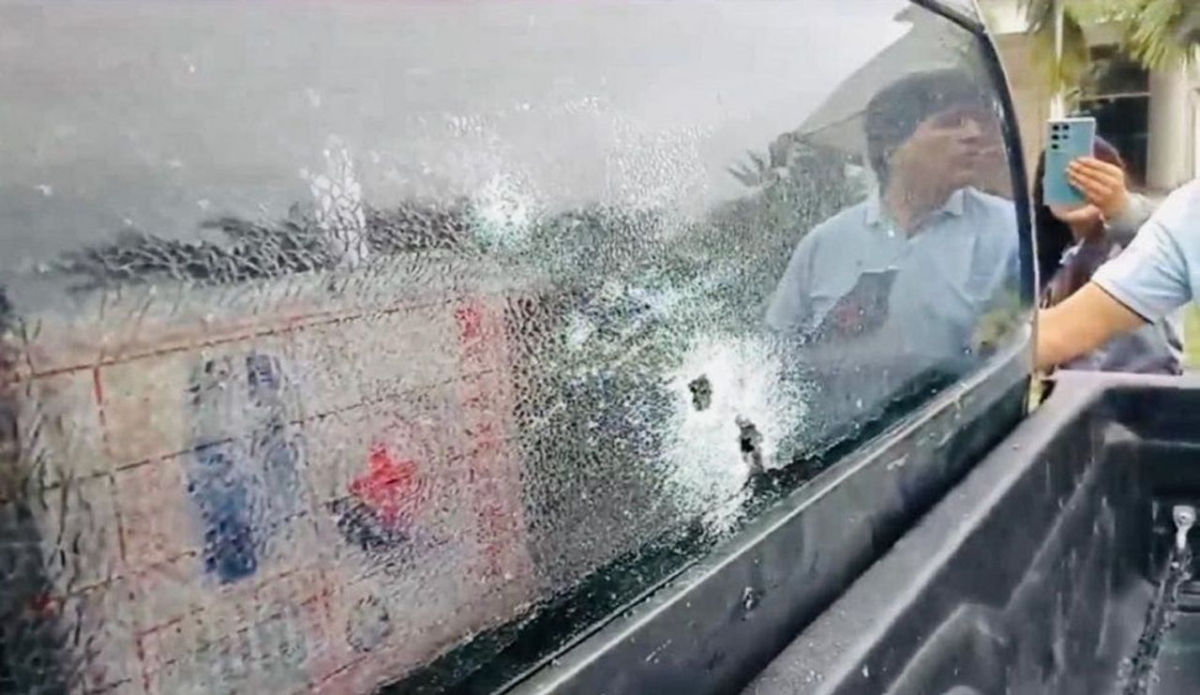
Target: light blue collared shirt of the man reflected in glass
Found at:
x=947, y=273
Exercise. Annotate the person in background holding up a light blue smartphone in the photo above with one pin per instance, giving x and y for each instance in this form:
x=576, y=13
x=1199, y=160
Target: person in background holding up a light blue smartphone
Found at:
x=1075, y=242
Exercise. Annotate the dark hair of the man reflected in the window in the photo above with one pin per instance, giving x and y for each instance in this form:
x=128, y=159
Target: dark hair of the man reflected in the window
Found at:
x=897, y=111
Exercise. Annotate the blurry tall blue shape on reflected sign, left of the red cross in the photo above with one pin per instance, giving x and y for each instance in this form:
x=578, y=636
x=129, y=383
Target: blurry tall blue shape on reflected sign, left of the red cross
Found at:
x=247, y=488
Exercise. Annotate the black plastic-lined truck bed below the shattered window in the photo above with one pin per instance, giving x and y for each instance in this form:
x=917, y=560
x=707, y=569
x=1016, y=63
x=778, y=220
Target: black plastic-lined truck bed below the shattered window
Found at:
x=1053, y=568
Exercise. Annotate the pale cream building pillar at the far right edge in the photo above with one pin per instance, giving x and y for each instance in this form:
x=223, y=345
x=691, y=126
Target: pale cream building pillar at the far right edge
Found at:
x=1171, y=119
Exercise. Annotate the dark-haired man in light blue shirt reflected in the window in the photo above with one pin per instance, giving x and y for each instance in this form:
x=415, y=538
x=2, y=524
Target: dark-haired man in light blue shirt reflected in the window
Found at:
x=905, y=277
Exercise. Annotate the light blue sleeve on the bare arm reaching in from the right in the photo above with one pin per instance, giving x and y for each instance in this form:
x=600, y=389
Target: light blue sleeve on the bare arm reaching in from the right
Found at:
x=1151, y=275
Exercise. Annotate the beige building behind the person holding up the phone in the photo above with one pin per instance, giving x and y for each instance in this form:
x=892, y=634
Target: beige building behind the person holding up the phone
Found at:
x=1153, y=117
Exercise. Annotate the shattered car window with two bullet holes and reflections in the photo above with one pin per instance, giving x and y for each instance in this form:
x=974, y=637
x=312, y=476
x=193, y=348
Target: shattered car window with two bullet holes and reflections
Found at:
x=344, y=343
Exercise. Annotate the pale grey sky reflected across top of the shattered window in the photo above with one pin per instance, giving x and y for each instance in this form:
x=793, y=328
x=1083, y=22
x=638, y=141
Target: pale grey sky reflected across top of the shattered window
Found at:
x=159, y=115
